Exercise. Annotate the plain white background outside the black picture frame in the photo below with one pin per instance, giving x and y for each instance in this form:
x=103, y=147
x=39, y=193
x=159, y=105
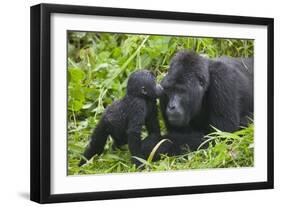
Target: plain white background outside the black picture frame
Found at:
x=14, y=86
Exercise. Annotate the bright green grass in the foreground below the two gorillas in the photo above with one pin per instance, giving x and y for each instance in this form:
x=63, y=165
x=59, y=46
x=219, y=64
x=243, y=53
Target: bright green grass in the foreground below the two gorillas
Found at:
x=224, y=150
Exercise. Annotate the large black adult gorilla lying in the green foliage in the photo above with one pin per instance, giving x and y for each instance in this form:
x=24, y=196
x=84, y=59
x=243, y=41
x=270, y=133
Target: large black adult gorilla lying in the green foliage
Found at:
x=200, y=93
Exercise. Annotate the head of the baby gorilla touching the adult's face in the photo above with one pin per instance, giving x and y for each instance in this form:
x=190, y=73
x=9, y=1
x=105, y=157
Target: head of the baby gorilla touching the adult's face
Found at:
x=142, y=83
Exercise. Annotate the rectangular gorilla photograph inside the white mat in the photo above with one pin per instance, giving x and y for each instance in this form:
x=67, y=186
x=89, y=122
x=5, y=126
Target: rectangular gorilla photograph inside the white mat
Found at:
x=151, y=102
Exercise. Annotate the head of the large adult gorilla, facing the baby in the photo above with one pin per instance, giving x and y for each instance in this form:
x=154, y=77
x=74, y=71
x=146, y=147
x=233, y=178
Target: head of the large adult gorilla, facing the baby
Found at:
x=184, y=87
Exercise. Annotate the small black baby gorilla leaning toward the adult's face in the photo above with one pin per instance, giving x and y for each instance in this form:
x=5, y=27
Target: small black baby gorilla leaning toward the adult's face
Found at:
x=123, y=120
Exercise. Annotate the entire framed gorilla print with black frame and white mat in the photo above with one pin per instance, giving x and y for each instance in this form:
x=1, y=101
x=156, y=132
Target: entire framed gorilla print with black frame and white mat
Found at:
x=132, y=103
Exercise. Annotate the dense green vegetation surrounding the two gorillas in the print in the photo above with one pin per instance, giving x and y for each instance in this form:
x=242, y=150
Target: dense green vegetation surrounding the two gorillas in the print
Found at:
x=98, y=67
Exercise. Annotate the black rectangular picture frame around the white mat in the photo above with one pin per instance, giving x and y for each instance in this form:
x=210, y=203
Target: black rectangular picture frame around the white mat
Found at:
x=41, y=96
